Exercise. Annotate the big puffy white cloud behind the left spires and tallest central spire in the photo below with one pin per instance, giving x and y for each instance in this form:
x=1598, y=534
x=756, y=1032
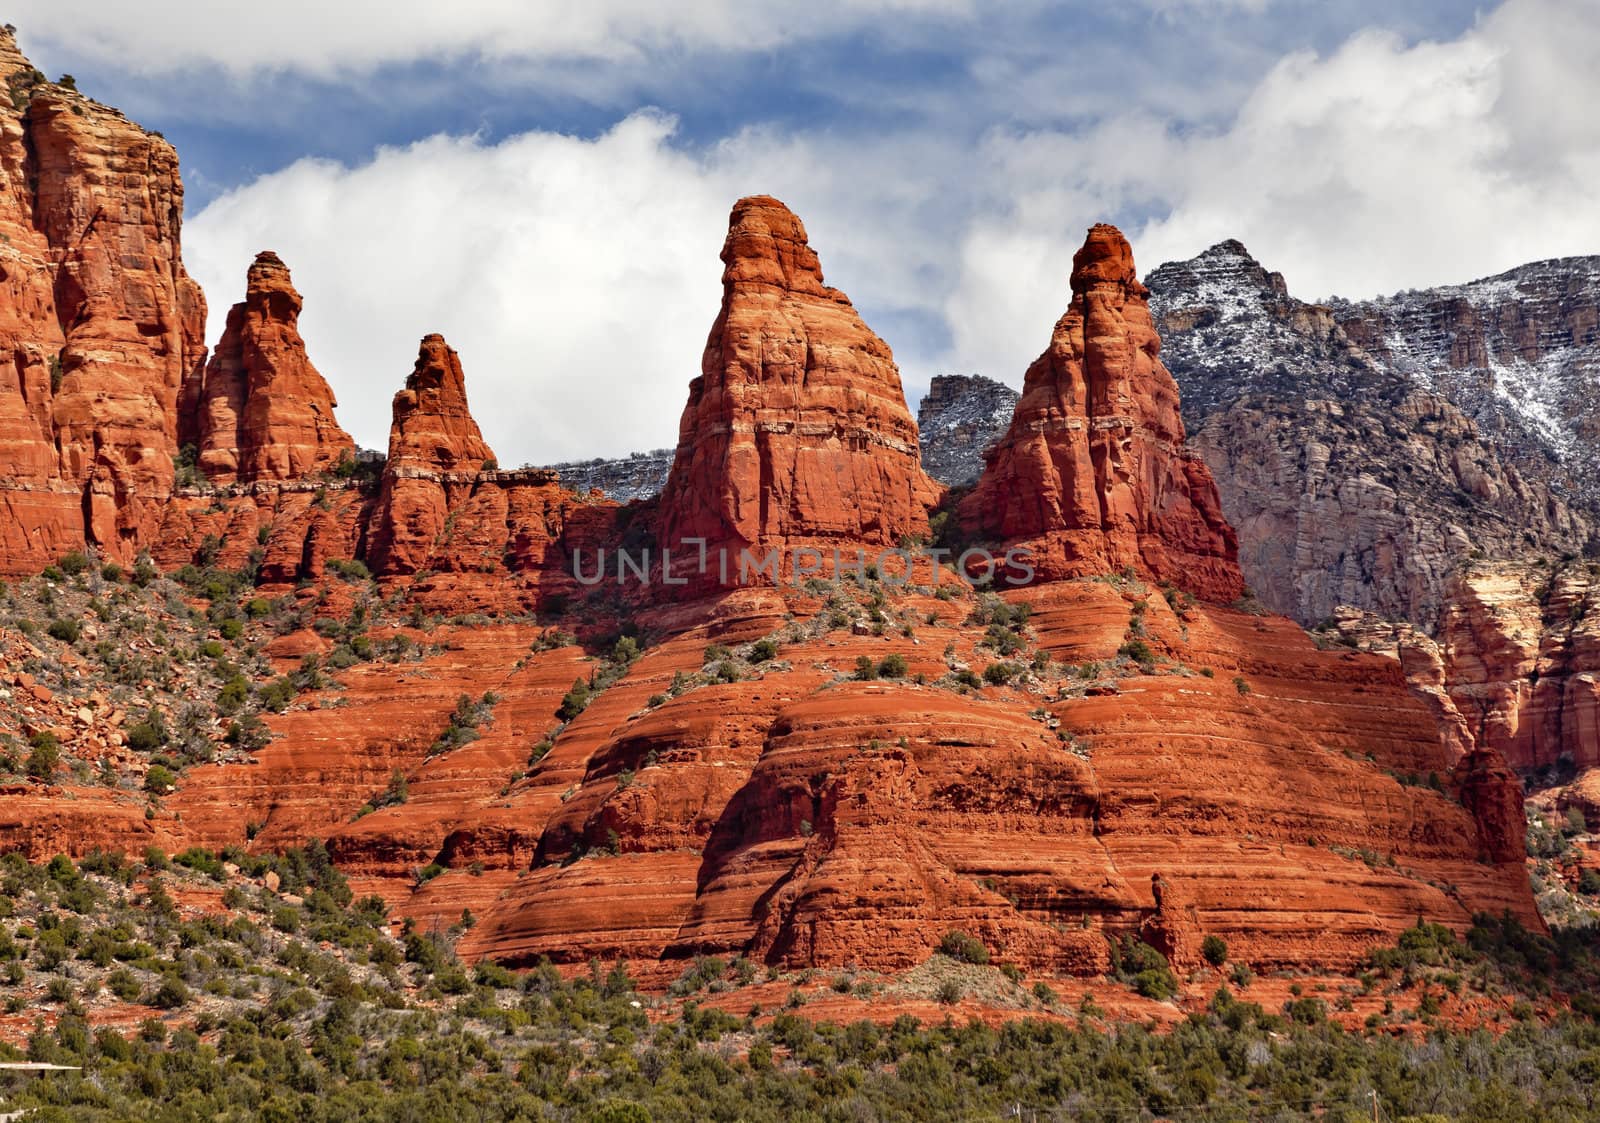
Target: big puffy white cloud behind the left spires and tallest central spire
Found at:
x=577, y=278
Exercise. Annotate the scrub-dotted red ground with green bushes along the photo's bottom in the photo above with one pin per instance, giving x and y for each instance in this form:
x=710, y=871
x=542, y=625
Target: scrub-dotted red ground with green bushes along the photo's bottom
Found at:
x=263, y=988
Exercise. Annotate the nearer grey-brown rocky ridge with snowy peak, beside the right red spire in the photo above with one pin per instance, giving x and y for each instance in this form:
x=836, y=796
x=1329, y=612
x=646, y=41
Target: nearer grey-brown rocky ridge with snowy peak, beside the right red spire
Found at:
x=1351, y=481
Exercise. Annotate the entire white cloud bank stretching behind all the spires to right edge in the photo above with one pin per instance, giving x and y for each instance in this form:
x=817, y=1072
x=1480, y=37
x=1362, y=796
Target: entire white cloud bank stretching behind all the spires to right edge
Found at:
x=578, y=276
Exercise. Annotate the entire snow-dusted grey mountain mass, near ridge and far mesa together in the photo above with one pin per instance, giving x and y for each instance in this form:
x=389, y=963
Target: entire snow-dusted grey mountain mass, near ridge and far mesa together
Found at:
x=1366, y=450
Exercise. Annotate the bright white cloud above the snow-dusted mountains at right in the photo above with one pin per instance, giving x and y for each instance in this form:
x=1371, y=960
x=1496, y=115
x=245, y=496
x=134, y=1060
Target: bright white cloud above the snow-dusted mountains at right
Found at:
x=1378, y=167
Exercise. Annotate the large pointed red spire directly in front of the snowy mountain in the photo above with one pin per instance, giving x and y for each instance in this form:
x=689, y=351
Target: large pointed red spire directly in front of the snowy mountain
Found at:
x=1094, y=474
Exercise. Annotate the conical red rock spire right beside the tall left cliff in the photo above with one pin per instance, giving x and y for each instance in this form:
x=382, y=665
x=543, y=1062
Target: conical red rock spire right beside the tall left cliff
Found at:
x=262, y=410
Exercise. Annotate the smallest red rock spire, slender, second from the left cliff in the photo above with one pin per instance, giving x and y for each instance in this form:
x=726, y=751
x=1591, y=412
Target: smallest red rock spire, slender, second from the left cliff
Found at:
x=436, y=454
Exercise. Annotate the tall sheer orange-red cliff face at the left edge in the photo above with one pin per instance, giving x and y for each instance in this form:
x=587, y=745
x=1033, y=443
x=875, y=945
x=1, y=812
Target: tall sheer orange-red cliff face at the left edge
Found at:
x=102, y=322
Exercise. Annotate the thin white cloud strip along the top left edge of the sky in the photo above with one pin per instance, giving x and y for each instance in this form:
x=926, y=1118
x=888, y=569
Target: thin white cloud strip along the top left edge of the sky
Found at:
x=327, y=38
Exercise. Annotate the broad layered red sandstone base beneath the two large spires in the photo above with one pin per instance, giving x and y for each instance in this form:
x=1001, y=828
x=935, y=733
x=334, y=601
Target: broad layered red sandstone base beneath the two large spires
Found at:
x=809, y=821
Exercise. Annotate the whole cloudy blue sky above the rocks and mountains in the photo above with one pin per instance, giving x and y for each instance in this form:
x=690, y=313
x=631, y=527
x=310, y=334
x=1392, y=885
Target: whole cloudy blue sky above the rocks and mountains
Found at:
x=548, y=183
